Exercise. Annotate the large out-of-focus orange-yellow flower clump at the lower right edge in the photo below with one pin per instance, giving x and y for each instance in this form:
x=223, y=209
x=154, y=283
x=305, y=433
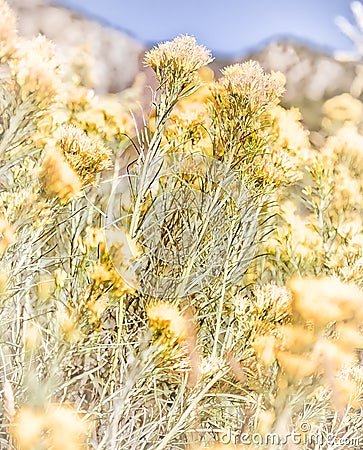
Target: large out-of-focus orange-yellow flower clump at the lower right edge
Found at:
x=303, y=349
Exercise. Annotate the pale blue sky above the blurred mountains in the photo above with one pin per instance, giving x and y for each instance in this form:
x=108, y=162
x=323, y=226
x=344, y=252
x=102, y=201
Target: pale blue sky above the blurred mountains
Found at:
x=227, y=27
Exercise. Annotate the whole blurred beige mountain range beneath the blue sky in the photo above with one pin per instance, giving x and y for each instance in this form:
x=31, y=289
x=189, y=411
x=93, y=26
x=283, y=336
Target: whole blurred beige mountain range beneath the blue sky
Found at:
x=116, y=58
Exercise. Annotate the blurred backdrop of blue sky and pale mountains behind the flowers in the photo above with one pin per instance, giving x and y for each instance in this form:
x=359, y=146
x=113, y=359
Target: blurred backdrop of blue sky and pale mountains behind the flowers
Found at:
x=317, y=44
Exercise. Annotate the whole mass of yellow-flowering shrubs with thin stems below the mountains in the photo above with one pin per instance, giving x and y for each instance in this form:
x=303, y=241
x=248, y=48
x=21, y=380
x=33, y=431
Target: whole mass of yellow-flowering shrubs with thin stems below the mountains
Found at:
x=190, y=278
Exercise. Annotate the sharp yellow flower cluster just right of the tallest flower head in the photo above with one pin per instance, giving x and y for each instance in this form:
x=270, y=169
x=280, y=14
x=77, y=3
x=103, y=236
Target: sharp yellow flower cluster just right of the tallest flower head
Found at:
x=238, y=102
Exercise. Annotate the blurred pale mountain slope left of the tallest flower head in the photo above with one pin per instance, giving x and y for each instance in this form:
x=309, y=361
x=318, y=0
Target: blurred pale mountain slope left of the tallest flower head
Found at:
x=113, y=56
